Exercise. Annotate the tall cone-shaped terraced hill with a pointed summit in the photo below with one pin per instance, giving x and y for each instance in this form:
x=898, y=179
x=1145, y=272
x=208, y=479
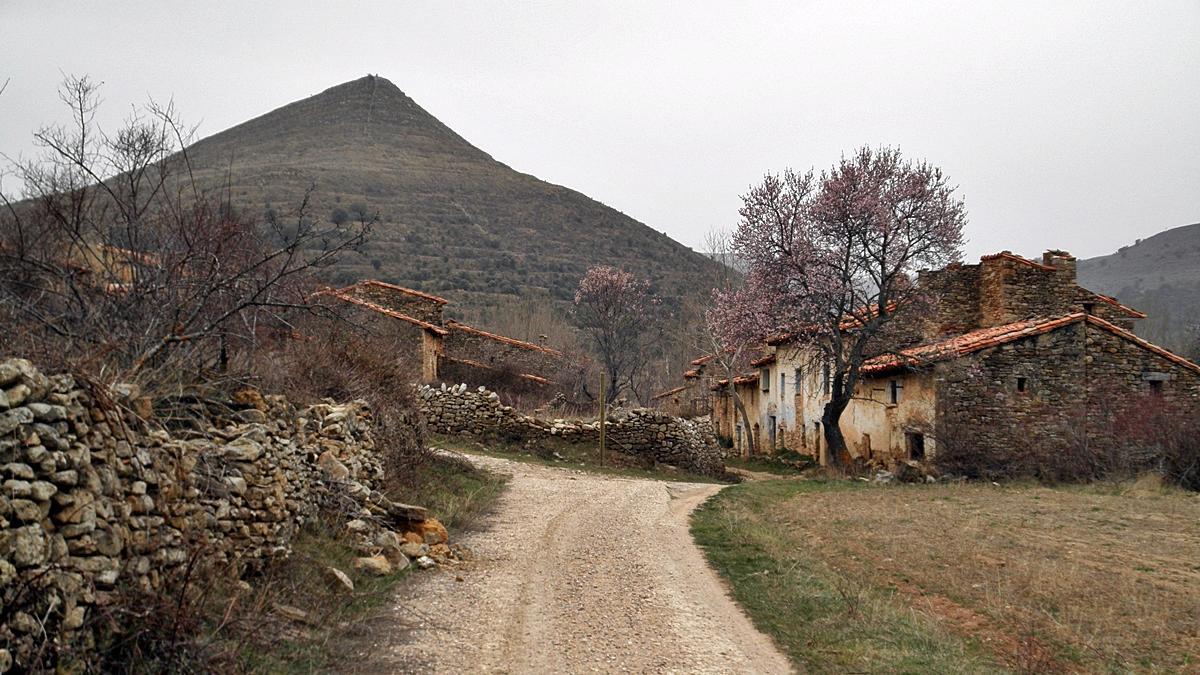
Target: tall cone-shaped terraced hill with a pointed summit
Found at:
x=453, y=220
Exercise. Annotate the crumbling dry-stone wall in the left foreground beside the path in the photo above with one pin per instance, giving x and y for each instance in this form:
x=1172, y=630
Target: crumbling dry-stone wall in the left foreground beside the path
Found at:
x=93, y=501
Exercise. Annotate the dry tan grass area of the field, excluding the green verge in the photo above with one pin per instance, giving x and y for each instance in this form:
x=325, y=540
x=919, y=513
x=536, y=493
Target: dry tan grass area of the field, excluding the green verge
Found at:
x=1099, y=578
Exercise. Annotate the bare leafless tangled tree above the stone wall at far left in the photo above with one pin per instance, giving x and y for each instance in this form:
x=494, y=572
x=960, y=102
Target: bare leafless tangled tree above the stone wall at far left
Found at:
x=113, y=254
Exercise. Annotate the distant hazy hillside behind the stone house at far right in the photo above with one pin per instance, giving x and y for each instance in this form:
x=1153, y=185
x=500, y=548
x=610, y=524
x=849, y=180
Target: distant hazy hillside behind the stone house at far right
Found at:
x=1160, y=276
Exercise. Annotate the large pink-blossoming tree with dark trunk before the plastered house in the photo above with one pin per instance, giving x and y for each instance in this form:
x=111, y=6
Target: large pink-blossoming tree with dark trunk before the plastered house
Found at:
x=831, y=260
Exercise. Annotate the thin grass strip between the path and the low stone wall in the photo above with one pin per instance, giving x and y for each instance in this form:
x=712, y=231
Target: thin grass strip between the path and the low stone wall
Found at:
x=585, y=457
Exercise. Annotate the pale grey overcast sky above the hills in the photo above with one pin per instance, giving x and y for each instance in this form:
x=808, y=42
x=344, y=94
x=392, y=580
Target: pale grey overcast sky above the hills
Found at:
x=1071, y=126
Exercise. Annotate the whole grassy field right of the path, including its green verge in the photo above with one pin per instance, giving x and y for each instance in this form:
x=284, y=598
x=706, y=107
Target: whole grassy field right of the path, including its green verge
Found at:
x=969, y=578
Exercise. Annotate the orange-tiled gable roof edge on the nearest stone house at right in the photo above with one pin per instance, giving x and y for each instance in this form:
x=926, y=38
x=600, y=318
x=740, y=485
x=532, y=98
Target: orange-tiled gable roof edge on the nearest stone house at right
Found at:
x=997, y=336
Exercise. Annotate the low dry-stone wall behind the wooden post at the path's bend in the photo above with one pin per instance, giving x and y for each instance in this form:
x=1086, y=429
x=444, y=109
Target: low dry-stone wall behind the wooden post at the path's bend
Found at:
x=649, y=434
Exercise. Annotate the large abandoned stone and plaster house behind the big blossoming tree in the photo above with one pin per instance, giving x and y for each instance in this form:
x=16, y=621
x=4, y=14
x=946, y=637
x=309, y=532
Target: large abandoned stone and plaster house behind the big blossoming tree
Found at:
x=1016, y=353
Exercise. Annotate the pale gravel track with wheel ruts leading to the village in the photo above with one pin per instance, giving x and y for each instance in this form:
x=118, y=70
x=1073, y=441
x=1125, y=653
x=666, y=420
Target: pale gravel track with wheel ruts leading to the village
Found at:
x=578, y=574
